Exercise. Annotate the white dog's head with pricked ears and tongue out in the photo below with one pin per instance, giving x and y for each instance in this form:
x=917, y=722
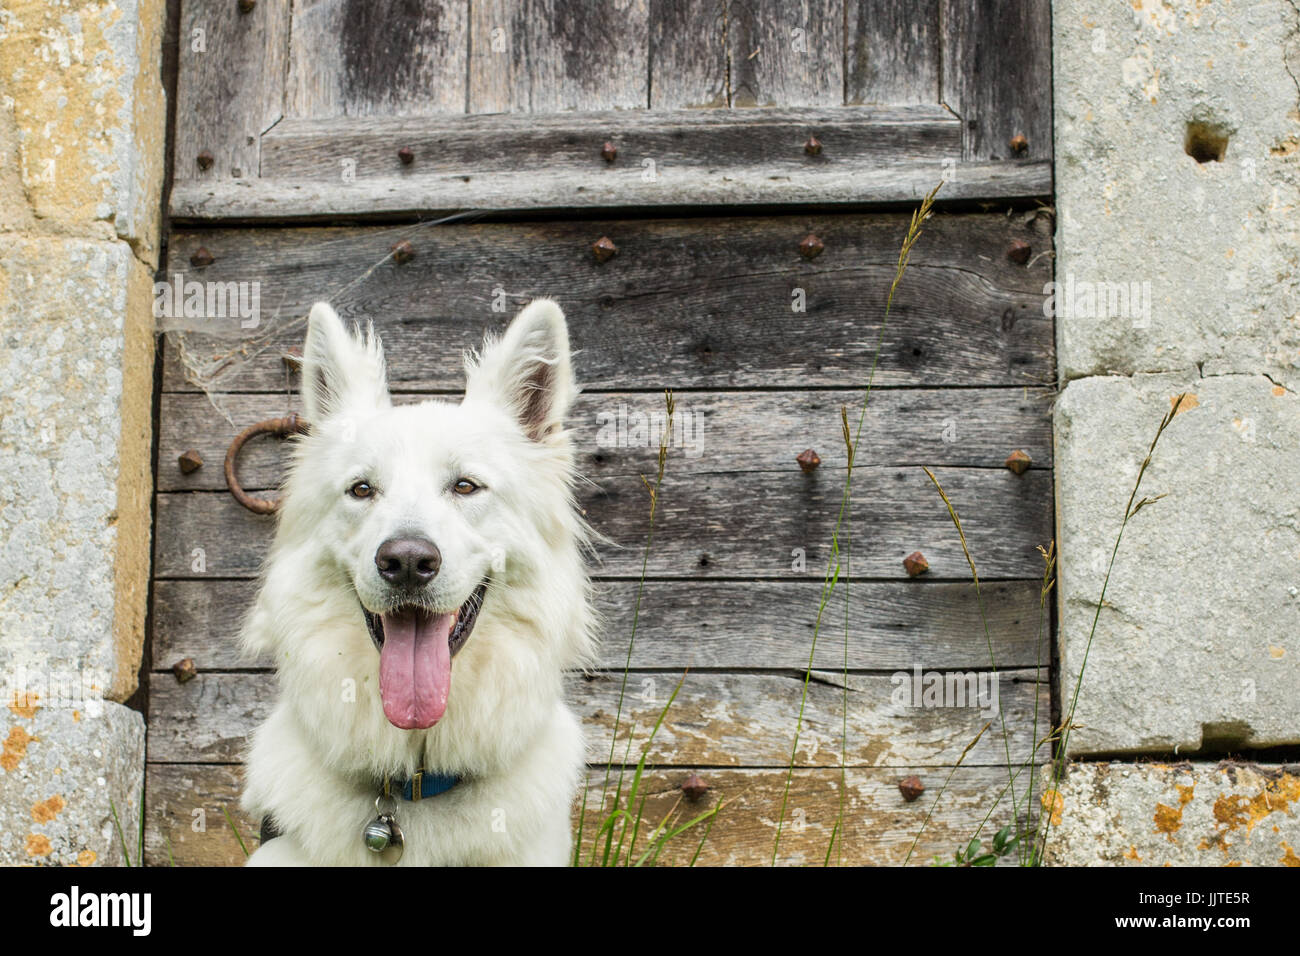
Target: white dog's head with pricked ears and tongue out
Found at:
x=432, y=517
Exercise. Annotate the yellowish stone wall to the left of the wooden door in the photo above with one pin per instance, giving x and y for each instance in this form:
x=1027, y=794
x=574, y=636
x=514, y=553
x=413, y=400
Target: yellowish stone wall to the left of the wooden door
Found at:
x=83, y=135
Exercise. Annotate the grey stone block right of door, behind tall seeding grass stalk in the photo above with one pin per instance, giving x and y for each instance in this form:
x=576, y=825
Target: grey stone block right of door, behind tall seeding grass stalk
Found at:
x=1199, y=639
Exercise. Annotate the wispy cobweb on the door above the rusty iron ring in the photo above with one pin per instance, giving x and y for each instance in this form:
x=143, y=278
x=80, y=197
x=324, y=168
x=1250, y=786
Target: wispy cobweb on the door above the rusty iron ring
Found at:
x=214, y=361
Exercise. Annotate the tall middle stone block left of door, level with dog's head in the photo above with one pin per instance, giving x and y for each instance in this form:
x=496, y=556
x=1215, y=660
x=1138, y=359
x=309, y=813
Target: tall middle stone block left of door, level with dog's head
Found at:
x=76, y=386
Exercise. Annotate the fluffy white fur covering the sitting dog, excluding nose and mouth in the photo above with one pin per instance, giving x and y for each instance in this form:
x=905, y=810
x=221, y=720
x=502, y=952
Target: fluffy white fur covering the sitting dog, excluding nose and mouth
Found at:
x=317, y=763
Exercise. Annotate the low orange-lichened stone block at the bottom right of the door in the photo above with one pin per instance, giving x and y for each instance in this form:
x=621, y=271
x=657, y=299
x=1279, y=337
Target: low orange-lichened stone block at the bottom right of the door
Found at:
x=1182, y=815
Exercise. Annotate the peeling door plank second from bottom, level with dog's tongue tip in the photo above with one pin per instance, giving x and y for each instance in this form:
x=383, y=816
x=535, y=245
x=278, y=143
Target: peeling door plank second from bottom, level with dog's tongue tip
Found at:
x=717, y=720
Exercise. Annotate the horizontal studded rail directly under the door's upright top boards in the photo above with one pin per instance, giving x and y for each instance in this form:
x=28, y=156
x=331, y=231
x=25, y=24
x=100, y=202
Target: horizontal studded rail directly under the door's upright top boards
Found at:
x=678, y=142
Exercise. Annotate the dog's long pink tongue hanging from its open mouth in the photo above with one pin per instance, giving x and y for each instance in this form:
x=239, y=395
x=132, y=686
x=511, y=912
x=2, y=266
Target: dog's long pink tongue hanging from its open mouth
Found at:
x=415, y=668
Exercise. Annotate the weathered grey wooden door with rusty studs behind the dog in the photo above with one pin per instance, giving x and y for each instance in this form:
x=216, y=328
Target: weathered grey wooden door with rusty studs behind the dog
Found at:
x=313, y=139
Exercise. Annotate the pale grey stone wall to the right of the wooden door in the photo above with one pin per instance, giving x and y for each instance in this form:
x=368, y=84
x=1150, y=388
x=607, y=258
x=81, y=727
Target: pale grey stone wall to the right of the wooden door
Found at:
x=1178, y=258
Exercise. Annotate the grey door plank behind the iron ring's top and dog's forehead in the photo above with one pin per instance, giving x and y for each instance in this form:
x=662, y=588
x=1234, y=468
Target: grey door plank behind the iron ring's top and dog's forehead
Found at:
x=714, y=432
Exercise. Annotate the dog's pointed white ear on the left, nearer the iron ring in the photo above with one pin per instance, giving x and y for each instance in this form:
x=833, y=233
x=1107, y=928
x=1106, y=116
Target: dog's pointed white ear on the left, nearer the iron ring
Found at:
x=341, y=369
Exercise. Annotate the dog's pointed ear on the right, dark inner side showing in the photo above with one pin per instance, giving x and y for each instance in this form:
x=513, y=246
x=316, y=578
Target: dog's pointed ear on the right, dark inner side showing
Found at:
x=528, y=370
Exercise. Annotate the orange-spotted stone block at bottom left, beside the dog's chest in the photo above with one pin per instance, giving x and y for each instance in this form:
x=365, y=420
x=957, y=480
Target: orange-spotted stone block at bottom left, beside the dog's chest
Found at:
x=70, y=764
